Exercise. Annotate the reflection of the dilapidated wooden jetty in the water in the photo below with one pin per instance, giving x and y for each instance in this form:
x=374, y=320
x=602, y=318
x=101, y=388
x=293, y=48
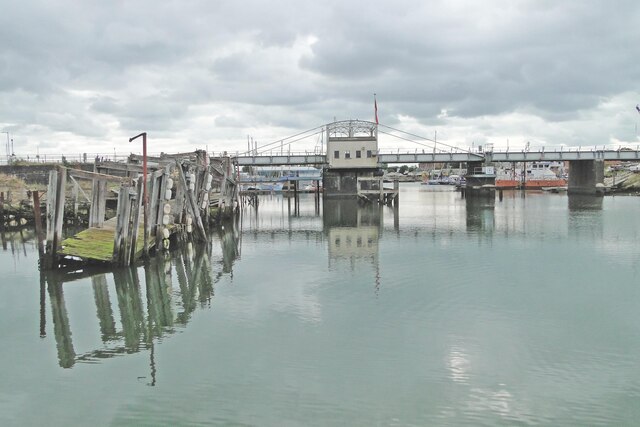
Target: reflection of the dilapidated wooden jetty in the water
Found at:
x=136, y=306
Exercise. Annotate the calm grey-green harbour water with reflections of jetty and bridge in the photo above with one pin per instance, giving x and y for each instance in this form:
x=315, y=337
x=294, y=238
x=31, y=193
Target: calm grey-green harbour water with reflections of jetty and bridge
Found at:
x=440, y=313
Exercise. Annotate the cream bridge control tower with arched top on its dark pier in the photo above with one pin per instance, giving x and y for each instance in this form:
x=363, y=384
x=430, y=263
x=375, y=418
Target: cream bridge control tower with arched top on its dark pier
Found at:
x=352, y=153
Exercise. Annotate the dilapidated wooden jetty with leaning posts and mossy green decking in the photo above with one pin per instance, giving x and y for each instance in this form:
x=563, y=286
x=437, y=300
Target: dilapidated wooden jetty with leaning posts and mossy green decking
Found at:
x=186, y=192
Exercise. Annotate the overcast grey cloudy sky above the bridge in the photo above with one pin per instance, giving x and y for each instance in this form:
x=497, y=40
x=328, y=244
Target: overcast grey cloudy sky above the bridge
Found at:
x=84, y=76
